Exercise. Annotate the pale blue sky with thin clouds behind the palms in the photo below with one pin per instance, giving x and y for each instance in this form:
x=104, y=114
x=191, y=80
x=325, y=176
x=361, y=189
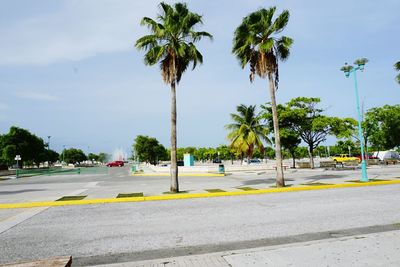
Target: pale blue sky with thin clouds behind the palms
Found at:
x=69, y=69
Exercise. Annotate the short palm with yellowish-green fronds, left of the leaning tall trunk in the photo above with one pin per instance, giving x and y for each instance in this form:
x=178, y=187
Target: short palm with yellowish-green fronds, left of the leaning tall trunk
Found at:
x=247, y=132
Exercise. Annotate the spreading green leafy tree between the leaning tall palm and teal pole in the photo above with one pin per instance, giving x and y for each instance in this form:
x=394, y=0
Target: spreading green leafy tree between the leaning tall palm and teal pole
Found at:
x=302, y=116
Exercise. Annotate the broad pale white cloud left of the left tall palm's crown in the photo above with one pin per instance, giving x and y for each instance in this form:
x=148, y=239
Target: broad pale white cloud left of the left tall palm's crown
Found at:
x=77, y=30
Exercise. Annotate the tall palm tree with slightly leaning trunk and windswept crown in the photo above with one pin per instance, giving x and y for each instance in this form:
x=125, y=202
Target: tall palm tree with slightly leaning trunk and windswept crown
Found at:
x=255, y=44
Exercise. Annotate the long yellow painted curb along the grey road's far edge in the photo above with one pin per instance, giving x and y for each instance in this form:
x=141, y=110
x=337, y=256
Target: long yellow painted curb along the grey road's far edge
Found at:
x=188, y=196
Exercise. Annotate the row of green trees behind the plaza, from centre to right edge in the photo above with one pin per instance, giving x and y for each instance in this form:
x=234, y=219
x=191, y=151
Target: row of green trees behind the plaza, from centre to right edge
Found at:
x=301, y=121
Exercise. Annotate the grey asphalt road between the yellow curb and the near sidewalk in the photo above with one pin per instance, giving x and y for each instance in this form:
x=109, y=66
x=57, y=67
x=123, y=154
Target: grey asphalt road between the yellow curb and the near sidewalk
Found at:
x=96, y=234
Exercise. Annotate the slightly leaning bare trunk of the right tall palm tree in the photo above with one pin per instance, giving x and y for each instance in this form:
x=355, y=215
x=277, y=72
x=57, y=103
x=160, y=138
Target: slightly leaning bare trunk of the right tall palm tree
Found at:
x=280, y=181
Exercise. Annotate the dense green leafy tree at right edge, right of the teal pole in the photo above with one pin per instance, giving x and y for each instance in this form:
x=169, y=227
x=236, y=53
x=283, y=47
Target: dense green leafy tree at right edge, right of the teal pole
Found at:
x=385, y=122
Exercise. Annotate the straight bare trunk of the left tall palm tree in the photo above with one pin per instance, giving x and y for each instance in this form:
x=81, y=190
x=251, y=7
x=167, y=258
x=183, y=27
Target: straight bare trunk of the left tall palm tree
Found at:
x=174, y=168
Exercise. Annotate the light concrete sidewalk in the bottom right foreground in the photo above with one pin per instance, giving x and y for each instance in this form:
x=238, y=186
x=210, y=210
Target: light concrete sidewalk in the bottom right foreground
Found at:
x=377, y=249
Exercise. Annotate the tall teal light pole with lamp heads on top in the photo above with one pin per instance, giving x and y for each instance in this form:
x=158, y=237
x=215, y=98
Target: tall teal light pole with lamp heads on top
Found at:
x=353, y=70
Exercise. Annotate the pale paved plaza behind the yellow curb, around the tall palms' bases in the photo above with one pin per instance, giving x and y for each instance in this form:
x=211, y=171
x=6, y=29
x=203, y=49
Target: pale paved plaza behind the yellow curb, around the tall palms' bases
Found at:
x=115, y=181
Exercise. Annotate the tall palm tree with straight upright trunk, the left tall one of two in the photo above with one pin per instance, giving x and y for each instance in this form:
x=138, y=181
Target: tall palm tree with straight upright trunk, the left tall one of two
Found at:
x=172, y=45
